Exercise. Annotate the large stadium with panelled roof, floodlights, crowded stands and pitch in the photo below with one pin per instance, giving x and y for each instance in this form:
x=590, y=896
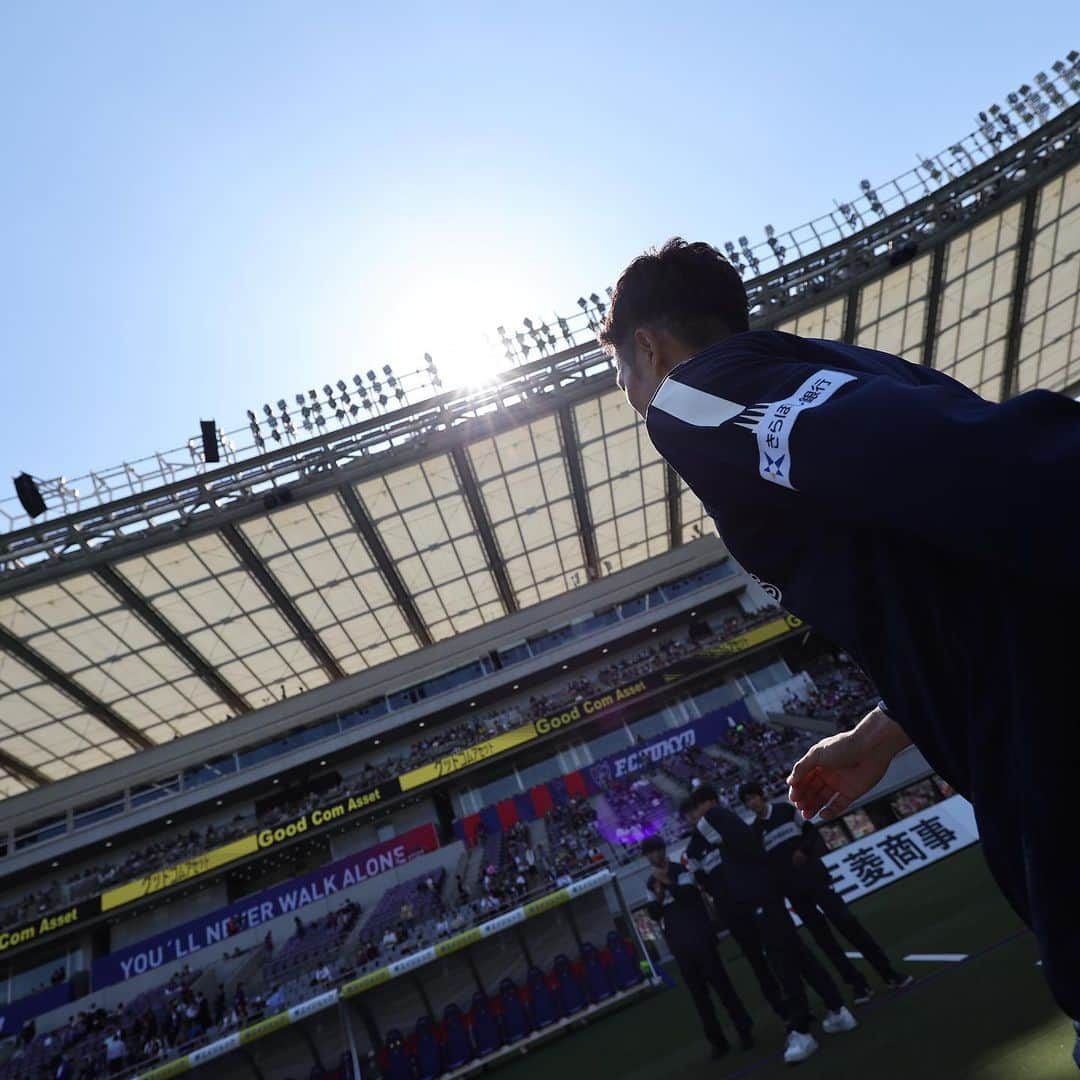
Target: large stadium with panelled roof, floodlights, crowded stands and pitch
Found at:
x=328, y=746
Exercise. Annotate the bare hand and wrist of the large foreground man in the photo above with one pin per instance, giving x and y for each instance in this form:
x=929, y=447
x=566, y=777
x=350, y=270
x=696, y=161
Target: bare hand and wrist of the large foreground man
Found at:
x=840, y=769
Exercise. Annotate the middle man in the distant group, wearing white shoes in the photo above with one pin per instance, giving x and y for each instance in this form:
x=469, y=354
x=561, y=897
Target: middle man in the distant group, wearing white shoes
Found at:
x=740, y=874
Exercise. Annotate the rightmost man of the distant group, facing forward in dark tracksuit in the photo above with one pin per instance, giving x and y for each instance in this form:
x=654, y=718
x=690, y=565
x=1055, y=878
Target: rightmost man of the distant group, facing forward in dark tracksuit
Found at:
x=794, y=850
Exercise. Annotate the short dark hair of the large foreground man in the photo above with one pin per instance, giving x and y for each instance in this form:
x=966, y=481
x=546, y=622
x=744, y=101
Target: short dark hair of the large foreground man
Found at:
x=690, y=290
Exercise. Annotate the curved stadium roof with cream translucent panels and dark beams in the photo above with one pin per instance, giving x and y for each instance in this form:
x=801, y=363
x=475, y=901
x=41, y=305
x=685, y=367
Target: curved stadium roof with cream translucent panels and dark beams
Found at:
x=170, y=600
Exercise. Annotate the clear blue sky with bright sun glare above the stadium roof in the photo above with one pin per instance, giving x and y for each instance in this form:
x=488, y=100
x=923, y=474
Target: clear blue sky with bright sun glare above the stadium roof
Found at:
x=210, y=206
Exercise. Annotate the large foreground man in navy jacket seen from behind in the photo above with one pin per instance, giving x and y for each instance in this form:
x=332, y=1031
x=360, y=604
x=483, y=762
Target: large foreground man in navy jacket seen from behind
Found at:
x=928, y=532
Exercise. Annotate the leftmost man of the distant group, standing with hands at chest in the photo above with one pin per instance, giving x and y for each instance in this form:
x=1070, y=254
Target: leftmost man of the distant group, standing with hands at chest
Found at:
x=679, y=908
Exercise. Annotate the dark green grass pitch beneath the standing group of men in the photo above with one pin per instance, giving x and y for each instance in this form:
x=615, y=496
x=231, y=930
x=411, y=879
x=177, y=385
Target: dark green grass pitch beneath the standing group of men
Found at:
x=990, y=1017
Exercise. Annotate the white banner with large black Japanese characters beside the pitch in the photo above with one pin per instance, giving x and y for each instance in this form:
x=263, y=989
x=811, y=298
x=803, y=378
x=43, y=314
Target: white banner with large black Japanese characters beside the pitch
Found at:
x=892, y=854
